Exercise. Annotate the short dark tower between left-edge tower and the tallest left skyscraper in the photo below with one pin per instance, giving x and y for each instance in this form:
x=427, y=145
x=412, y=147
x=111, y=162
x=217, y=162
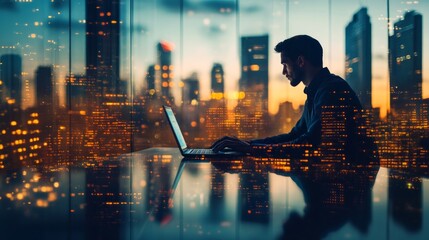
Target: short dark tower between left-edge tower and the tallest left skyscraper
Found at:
x=44, y=86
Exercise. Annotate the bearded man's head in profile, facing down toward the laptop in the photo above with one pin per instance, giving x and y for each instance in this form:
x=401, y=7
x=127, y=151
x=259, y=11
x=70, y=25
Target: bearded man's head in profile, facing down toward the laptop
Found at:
x=300, y=56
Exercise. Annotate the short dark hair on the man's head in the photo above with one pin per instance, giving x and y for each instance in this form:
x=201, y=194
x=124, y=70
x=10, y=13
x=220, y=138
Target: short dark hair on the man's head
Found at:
x=303, y=45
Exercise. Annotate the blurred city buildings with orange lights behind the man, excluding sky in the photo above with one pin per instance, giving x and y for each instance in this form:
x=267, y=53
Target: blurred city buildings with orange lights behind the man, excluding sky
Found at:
x=105, y=116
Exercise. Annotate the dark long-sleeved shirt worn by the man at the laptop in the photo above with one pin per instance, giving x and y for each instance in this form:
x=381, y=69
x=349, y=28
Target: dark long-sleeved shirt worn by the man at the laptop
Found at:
x=325, y=92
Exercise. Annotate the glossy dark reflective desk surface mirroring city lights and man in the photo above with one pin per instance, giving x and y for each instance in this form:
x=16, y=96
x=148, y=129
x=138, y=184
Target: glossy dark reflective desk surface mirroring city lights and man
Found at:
x=156, y=194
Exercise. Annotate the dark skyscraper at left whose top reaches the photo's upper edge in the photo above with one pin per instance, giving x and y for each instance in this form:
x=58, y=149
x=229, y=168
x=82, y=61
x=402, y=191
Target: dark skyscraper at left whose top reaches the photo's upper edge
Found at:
x=102, y=46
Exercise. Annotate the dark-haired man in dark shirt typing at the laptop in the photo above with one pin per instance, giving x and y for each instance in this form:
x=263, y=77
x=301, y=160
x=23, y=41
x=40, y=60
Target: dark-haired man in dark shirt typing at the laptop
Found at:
x=301, y=57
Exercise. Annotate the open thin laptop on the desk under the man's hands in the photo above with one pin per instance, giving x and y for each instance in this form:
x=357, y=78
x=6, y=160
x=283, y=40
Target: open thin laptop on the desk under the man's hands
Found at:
x=190, y=152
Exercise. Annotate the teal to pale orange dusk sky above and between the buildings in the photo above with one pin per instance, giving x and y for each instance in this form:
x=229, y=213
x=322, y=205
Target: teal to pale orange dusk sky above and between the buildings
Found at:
x=210, y=33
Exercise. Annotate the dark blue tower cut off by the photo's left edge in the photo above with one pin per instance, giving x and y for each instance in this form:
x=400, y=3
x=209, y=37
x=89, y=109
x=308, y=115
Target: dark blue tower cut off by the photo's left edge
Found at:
x=11, y=69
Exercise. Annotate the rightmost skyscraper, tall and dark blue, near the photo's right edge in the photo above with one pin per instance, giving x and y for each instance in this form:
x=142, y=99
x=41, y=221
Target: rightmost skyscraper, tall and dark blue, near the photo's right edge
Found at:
x=406, y=66
